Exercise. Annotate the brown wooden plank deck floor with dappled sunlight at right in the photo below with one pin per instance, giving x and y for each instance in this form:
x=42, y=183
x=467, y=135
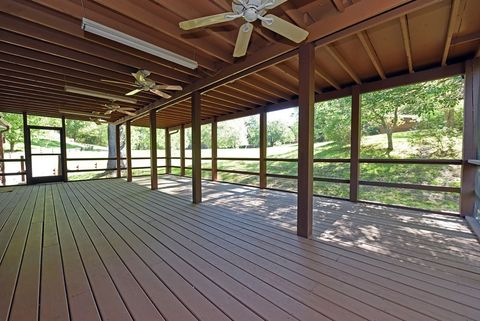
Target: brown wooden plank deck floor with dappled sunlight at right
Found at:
x=111, y=250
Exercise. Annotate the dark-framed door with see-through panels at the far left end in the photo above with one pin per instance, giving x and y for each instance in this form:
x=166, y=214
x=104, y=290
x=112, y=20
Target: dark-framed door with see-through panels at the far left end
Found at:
x=28, y=156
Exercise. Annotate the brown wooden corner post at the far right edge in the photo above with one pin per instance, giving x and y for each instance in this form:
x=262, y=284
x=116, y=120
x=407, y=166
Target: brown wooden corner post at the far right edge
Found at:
x=471, y=109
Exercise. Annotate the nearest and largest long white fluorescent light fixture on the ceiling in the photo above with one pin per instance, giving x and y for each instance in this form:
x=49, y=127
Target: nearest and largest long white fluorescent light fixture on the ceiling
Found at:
x=115, y=35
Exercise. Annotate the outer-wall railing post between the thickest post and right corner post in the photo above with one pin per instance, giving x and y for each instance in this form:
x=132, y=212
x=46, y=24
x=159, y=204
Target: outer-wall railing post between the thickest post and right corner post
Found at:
x=355, y=144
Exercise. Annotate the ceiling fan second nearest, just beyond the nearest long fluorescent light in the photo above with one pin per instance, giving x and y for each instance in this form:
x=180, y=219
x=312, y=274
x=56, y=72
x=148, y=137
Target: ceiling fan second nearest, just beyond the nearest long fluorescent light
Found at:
x=142, y=83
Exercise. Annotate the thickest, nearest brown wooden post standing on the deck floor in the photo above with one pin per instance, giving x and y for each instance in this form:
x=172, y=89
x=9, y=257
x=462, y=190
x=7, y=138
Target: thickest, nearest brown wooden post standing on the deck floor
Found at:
x=306, y=100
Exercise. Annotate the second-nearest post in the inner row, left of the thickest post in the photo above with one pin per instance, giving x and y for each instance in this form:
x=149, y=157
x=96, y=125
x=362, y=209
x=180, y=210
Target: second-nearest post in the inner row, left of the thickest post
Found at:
x=196, y=149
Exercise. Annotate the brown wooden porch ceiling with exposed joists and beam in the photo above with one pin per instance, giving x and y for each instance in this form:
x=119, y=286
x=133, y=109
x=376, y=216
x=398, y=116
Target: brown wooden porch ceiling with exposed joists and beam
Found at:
x=43, y=48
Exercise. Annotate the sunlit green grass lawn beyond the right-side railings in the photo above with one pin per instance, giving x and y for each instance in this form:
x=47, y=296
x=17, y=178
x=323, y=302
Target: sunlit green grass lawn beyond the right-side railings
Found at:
x=372, y=147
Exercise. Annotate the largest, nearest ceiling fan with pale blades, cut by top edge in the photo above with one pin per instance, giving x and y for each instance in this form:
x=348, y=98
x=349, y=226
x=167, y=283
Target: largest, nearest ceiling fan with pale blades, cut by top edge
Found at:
x=250, y=11
